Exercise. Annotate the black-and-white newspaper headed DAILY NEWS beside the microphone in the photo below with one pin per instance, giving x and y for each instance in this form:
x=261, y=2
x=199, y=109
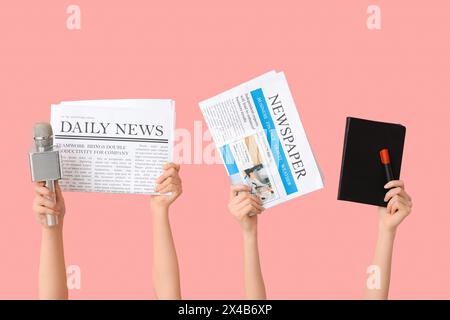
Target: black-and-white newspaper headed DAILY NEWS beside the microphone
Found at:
x=116, y=146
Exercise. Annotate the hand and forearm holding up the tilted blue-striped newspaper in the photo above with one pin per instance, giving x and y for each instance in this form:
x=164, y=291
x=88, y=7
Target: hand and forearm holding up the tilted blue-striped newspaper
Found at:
x=240, y=206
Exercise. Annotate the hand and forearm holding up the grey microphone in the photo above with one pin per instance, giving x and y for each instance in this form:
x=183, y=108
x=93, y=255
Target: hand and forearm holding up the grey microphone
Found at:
x=52, y=268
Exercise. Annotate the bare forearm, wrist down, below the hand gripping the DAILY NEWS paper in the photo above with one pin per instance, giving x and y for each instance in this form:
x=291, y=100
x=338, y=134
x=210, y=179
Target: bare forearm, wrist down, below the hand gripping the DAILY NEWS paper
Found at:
x=166, y=277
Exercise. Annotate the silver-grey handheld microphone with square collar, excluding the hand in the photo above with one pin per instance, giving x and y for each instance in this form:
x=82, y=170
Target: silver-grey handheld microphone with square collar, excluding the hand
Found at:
x=44, y=162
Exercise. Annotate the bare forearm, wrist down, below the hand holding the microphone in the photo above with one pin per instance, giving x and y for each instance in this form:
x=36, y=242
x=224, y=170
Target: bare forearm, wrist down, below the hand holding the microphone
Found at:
x=52, y=268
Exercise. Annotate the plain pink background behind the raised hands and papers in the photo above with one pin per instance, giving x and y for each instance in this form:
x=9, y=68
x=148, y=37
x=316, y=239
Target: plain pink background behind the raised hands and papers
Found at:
x=312, y=247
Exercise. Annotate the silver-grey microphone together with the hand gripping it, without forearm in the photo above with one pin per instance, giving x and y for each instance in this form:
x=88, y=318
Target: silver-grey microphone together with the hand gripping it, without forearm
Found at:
x=46, y=170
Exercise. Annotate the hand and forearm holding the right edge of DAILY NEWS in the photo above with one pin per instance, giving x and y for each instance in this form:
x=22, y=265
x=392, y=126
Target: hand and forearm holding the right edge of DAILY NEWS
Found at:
x=166, y=275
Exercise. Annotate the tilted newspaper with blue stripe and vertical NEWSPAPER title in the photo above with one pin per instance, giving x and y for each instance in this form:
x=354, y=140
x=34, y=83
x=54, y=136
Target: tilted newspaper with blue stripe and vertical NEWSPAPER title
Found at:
x=260, y=137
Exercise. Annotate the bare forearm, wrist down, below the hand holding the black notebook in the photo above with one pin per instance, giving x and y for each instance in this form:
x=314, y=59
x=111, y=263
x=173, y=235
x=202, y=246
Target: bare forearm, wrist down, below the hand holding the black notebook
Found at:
x=382, y=259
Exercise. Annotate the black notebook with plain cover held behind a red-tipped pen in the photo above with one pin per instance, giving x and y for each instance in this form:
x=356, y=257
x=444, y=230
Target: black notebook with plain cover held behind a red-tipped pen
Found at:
x=362, y=173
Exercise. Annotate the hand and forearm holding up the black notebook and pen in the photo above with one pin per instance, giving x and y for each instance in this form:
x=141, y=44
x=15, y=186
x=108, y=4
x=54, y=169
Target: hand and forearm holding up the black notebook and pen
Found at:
x=398, y=208
